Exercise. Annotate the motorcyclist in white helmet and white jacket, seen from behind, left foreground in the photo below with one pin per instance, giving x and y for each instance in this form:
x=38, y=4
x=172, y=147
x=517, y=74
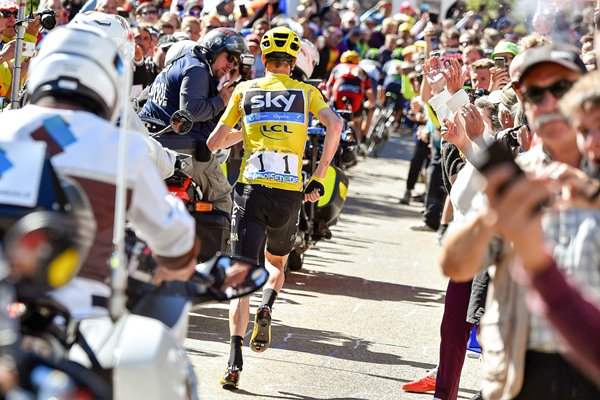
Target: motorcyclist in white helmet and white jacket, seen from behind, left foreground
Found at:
x=74, y=87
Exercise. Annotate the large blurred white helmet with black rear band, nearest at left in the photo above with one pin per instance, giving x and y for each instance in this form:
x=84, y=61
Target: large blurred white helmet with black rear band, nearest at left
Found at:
x=79, y=65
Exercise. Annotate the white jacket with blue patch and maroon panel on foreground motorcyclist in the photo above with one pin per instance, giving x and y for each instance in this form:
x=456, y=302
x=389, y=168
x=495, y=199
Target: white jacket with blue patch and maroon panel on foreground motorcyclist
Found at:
x=84, y=146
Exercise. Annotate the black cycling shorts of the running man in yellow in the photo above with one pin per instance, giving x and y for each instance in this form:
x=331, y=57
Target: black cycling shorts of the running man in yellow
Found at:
x=261, y=213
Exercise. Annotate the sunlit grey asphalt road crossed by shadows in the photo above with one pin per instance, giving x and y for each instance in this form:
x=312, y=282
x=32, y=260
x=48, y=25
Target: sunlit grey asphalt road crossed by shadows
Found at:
x=359, y=320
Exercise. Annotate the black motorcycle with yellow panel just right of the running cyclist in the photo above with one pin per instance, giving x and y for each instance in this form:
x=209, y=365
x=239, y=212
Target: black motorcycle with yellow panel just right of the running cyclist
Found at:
x=317, y=218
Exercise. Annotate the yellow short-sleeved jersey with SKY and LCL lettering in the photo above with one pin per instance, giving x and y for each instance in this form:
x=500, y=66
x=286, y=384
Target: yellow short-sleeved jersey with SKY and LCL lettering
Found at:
x=274, y=112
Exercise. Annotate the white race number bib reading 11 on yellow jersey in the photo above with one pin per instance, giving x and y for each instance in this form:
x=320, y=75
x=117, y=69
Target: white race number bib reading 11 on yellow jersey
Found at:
x=273, y=166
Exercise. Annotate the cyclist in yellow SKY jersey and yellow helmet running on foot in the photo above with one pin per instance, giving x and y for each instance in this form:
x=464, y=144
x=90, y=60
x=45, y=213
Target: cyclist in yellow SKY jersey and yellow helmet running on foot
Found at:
x=268, y=194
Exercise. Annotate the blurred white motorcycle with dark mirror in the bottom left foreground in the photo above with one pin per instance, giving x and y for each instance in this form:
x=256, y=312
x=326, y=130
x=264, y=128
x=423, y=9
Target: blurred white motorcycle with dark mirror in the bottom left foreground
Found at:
x=141, y=355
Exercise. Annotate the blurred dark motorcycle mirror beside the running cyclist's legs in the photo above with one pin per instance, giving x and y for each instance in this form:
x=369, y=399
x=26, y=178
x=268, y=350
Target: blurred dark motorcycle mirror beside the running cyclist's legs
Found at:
x=230, y=277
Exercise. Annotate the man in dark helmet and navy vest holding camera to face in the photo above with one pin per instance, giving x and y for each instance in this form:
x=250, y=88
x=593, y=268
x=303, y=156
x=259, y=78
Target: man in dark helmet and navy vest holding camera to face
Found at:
x=191, y=83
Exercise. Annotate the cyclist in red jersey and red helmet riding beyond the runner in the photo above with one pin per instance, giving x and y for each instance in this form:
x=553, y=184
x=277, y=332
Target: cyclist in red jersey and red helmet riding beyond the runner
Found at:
x=349, y=81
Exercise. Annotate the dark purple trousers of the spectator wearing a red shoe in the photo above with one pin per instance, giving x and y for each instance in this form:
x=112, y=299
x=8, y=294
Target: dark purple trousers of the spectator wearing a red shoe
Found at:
x=454, y=334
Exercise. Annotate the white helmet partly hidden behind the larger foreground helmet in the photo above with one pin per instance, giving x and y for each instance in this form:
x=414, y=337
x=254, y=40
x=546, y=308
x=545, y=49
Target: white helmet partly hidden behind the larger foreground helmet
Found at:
x=114, y=26
